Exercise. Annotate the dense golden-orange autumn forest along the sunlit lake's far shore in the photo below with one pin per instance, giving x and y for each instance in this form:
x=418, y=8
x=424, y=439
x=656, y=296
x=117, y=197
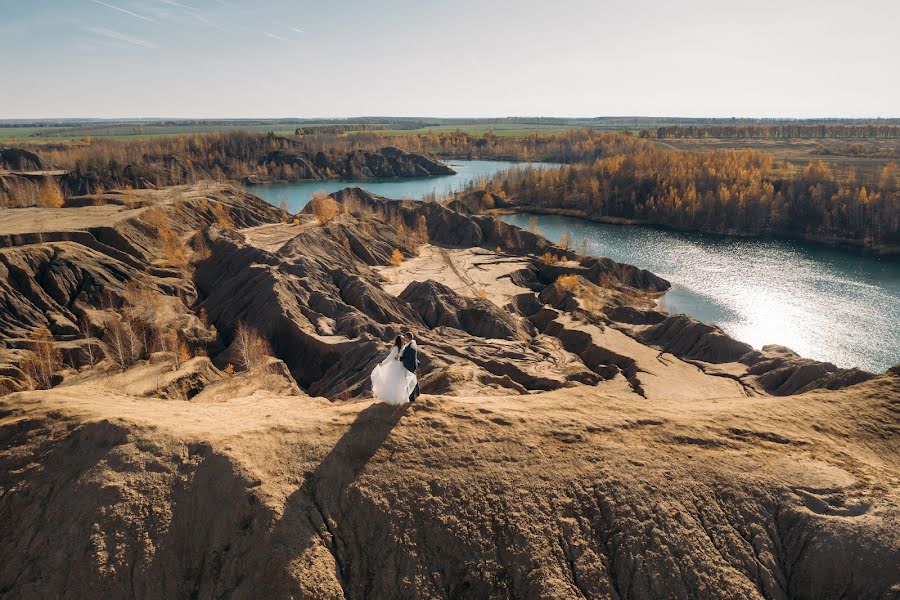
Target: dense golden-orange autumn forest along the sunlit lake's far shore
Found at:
x=730, y=192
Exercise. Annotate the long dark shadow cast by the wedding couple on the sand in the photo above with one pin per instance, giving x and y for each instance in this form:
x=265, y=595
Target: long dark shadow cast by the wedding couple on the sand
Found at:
x=310, y=517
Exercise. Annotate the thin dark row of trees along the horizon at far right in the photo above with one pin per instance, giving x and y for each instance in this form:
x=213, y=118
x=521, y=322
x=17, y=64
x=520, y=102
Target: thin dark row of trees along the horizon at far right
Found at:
x=779, y=131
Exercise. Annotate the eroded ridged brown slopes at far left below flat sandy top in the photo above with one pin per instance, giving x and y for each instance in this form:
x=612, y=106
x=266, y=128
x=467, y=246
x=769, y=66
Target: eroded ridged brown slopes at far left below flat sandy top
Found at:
x=71, y=269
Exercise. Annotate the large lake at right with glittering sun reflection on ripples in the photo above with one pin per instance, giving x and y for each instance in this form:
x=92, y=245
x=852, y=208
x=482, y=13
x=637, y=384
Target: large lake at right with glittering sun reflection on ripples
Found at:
x=833, y=304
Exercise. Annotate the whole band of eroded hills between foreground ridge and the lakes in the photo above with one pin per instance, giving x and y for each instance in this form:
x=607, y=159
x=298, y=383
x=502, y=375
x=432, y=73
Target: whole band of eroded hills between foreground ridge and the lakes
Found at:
x=317, y=299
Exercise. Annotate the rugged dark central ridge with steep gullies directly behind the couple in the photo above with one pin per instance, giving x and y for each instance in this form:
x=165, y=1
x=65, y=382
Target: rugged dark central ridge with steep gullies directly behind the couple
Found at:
x=327, y=316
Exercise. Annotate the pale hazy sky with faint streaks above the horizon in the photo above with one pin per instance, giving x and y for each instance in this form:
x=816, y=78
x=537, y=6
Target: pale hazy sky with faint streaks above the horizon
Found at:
x=460, y=58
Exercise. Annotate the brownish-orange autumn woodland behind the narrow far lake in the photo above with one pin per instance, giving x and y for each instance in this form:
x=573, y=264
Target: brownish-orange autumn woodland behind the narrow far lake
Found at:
x=102, y=164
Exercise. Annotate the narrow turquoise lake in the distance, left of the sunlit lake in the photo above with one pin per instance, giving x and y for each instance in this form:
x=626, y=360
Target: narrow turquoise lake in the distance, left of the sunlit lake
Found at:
x=298, y=194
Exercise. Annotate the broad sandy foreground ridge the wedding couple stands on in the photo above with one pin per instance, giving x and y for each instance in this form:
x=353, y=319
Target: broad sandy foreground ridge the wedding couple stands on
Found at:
x=570, y=494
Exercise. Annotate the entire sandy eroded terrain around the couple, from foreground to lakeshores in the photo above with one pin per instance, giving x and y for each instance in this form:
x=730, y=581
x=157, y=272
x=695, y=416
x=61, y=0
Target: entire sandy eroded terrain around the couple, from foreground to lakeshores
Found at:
x=572, y=441
